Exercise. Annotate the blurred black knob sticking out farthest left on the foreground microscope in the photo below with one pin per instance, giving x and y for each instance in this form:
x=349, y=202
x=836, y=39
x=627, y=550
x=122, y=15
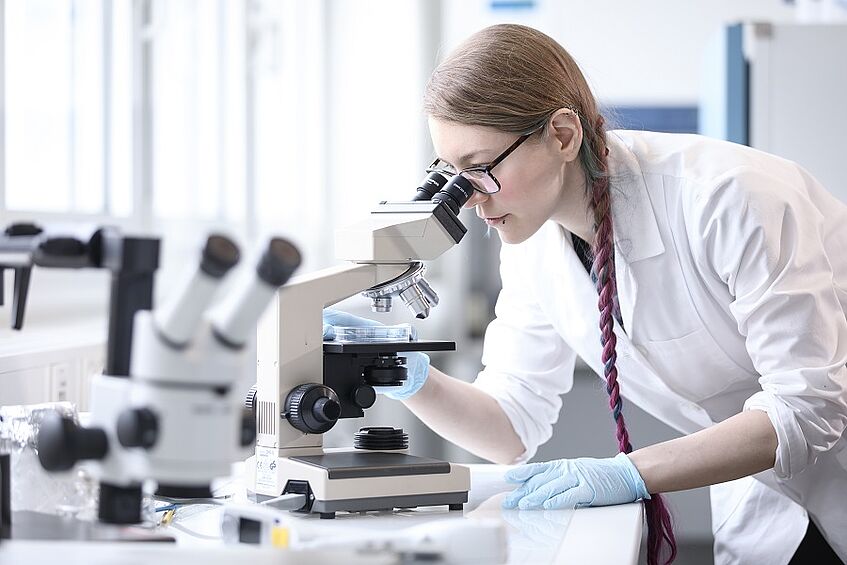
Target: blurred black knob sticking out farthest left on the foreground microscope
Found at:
x=61, y=443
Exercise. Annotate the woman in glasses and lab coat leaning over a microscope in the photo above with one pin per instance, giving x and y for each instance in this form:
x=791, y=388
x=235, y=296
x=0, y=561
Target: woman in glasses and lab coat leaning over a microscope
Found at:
x=720, y=279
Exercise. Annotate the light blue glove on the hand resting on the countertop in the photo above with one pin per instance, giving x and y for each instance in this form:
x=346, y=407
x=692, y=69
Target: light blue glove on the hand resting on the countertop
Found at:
x=575, y=483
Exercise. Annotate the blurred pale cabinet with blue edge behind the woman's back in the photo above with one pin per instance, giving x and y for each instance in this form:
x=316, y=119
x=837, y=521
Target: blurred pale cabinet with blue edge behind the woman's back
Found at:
x=781, y=87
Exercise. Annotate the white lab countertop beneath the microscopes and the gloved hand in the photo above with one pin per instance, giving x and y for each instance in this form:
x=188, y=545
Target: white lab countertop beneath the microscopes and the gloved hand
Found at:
x=591, y=535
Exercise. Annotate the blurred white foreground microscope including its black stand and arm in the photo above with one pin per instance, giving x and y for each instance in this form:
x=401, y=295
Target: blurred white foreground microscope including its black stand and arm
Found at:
x=166, y=407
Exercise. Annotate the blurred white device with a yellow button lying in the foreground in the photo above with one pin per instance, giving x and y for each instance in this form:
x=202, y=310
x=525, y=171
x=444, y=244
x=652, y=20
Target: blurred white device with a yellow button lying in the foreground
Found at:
x=458, y=541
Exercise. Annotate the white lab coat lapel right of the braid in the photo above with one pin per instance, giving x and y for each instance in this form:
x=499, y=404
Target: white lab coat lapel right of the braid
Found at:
x=636, y=230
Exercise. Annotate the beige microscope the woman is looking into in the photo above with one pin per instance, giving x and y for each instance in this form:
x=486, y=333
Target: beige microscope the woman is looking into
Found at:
x=305, y=385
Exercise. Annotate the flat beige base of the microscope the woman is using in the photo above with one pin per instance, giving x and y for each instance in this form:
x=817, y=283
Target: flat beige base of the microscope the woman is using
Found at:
x=362, y=481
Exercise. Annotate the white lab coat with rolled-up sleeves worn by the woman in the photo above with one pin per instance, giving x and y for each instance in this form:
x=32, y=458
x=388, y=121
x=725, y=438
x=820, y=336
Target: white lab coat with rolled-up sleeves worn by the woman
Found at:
x=732, y=281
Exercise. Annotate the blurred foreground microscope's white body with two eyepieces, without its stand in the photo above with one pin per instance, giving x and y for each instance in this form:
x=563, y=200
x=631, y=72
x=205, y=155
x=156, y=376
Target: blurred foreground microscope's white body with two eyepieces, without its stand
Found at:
x=188, y=367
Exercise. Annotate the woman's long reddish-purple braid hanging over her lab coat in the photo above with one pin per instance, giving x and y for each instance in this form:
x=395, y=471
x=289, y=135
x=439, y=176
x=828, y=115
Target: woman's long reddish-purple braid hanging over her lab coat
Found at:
x=659, y=527
